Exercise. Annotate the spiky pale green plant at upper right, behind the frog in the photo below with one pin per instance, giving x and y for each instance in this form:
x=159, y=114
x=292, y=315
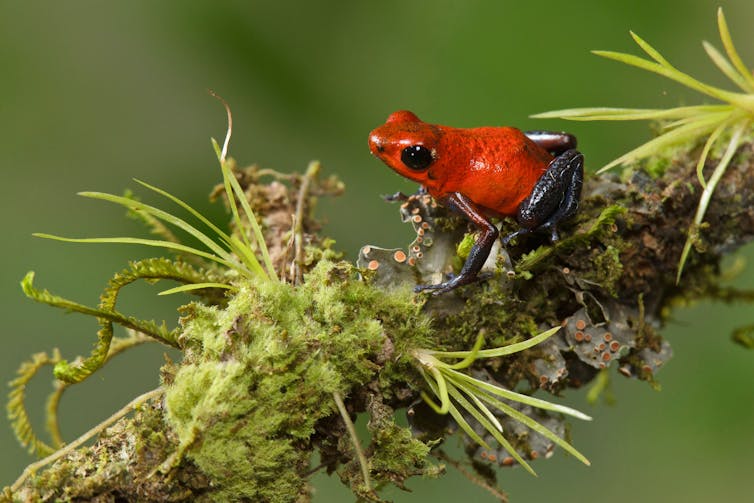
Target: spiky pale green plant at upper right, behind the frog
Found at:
x=719, y=124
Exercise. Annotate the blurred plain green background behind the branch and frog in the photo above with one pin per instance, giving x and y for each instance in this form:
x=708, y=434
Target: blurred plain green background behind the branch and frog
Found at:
x=93, y=94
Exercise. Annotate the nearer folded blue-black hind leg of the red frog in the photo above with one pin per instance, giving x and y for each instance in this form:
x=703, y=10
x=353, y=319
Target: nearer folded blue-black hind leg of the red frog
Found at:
x=555, y=196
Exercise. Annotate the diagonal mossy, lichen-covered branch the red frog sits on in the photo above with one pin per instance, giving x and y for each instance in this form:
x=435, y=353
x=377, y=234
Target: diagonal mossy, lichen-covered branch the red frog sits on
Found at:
x=297, y=346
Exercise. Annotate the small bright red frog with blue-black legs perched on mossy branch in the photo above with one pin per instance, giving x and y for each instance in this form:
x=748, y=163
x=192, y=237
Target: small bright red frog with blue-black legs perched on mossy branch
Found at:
x=534, y=176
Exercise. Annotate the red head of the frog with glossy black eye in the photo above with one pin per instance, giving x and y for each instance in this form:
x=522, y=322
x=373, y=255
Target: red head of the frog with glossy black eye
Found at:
x=407, y=145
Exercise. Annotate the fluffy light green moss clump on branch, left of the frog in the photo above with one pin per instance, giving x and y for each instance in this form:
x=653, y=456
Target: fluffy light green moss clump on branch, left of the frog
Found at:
x=260, y=374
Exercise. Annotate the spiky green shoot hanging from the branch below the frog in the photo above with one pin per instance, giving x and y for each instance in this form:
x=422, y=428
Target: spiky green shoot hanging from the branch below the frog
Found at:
x=456, y=389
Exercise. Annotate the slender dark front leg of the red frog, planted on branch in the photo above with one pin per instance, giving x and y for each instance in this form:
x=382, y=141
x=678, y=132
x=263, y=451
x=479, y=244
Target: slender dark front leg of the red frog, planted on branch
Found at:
x=479, y=252
